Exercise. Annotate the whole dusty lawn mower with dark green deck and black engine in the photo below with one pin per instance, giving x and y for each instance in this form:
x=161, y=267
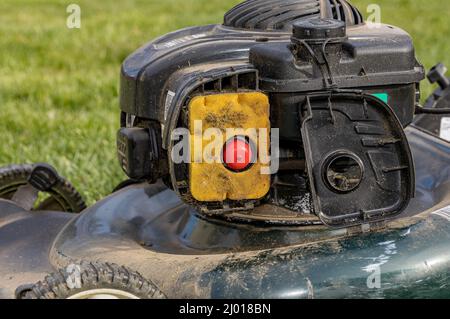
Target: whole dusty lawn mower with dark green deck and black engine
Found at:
x=281, y=154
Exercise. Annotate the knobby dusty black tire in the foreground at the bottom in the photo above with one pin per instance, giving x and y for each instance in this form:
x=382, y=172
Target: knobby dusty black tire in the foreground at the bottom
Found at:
x=93, y=277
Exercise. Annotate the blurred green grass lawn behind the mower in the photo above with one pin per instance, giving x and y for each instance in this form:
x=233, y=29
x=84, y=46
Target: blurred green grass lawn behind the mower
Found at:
x=59, y=86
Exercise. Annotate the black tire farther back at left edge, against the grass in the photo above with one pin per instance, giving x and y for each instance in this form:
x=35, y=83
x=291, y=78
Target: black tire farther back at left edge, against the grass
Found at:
x=62, y=197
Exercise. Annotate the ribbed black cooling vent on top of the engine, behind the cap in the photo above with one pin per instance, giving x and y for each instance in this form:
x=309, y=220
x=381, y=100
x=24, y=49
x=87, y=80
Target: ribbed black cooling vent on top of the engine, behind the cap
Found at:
x=272, y=15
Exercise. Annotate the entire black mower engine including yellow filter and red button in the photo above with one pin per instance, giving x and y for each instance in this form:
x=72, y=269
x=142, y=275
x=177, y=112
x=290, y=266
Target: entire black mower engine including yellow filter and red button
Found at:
x=293, y=113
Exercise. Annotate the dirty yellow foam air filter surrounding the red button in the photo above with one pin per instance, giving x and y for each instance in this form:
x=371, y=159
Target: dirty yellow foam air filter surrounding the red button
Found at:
x=234, y=113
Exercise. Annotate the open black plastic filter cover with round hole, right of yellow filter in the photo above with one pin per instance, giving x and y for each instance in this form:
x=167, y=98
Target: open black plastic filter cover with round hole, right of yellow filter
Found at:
x=359, y=162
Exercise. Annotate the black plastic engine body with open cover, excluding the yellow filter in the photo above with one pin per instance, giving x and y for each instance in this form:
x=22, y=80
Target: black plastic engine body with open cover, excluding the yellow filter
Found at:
x=340, y=91
